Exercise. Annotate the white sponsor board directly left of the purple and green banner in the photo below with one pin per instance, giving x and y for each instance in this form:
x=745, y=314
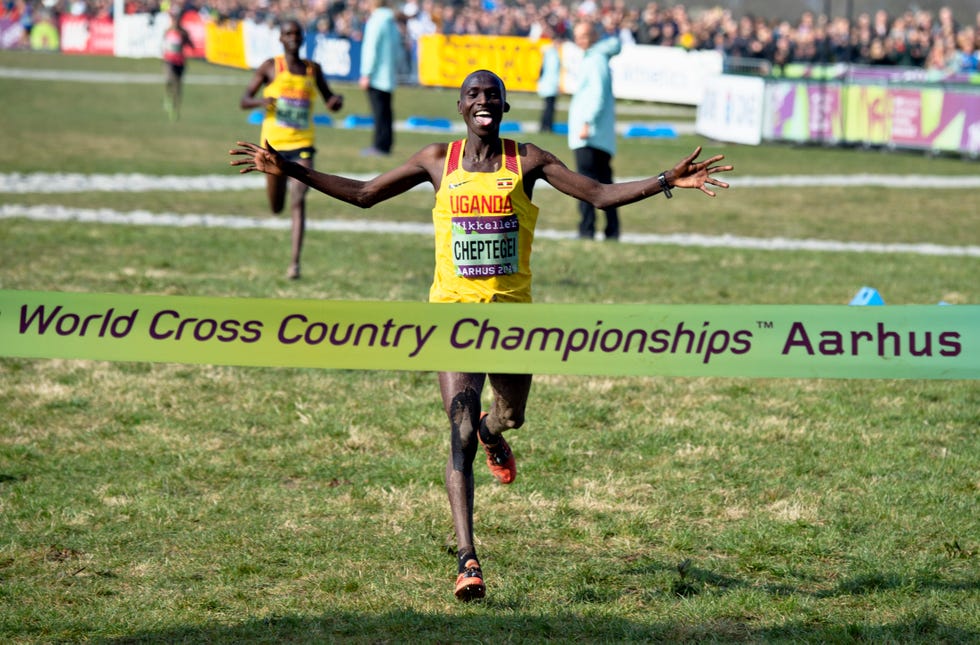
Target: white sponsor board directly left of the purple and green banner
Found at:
x=732, y=109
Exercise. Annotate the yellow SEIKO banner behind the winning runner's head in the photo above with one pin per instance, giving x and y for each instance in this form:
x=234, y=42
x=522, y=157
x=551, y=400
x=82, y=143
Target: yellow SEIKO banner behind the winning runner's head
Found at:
x=444, y=61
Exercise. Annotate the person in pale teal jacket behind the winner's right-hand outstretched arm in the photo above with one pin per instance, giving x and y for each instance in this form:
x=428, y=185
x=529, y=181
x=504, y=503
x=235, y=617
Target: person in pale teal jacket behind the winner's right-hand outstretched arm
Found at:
x=592, y=122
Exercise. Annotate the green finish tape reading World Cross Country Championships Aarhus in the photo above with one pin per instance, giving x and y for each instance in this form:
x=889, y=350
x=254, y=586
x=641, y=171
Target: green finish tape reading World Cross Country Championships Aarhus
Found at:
x=820, y=341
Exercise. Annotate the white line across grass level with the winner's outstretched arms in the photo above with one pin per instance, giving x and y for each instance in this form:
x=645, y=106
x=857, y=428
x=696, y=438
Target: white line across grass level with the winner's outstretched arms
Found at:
x=44, y=182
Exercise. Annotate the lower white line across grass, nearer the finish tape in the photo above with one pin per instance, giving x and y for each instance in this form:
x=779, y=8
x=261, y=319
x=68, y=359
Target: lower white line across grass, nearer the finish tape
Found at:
x=53, y=213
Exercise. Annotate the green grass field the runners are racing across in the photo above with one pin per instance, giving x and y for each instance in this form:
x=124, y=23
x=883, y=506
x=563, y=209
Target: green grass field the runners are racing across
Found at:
x=162, y=503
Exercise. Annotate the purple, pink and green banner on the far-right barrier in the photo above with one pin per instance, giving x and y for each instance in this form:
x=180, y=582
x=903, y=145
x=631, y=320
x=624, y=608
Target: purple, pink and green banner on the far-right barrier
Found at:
x=905, y=117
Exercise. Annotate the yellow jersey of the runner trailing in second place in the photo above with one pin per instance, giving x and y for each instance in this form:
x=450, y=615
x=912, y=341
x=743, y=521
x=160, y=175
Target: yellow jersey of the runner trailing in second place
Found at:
x=289, y=125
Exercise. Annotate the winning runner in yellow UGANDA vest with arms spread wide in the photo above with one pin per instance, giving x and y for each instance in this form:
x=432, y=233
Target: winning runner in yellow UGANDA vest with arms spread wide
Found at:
x=484, y=226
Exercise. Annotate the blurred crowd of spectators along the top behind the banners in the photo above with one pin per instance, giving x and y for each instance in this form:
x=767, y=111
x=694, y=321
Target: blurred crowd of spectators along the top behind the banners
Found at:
x=915, y=38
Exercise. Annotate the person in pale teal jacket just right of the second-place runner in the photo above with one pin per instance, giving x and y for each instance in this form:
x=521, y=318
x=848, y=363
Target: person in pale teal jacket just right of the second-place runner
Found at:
x=380, y=50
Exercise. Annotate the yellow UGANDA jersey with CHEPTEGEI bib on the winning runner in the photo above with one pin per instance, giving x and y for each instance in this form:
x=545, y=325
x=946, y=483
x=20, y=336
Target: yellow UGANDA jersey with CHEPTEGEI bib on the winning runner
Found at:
x=484, y=228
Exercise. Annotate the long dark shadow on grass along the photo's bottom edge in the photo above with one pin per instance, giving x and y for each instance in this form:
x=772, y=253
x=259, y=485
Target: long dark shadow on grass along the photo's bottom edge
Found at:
x=411, y=626
